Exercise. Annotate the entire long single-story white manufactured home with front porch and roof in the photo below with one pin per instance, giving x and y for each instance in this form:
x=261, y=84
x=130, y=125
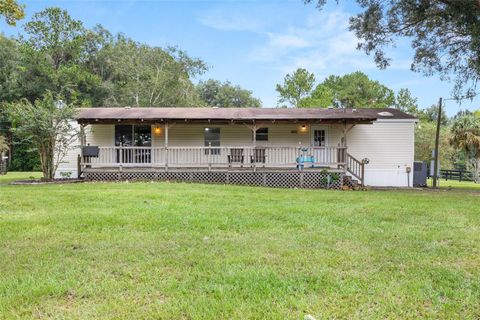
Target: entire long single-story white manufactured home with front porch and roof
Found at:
x=311, y=148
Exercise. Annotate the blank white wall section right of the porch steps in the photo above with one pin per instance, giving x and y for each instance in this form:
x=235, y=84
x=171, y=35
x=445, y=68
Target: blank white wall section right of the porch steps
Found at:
x=389, y=145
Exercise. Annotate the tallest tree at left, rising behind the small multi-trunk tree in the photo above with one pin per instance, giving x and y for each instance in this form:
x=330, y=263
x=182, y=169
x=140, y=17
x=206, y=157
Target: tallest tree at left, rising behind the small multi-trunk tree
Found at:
x=53, y=58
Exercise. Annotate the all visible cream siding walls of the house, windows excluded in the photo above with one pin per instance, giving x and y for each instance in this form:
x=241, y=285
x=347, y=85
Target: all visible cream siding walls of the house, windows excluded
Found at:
x=388, y=144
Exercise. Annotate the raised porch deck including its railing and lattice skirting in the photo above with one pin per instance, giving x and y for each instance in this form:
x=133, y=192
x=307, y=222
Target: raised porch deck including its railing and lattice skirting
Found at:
x=286, y=167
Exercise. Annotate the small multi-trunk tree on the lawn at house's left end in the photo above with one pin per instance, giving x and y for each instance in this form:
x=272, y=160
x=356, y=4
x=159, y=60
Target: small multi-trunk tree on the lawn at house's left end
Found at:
x=47, y=126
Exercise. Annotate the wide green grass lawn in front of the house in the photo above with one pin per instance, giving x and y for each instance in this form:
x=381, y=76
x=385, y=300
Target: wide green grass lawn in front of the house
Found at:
x=190, y=251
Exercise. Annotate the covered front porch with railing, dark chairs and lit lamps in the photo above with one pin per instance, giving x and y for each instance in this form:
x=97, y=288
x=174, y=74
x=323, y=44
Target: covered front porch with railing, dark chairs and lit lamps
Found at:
x=191, y=145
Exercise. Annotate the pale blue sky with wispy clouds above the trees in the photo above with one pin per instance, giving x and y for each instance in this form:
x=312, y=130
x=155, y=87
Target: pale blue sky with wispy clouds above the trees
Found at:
x=254, y=43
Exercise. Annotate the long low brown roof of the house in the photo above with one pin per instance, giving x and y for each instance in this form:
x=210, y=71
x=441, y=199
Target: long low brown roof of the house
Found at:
x=93, y=115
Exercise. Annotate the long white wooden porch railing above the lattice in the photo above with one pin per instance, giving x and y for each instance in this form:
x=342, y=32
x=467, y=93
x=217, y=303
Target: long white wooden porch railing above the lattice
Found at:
x=231, y=156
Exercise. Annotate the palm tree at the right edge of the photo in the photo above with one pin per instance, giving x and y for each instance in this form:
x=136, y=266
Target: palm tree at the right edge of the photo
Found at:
x=466, y=136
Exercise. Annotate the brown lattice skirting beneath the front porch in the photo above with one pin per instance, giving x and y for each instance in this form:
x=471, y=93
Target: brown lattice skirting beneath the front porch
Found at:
x=276, y=179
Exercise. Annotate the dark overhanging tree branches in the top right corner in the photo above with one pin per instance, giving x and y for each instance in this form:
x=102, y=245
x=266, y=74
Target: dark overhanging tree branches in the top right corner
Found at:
x=445, y=35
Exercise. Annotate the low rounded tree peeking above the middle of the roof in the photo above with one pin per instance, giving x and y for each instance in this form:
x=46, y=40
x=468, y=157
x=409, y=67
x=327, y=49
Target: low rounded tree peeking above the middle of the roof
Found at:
x=214, y=93
